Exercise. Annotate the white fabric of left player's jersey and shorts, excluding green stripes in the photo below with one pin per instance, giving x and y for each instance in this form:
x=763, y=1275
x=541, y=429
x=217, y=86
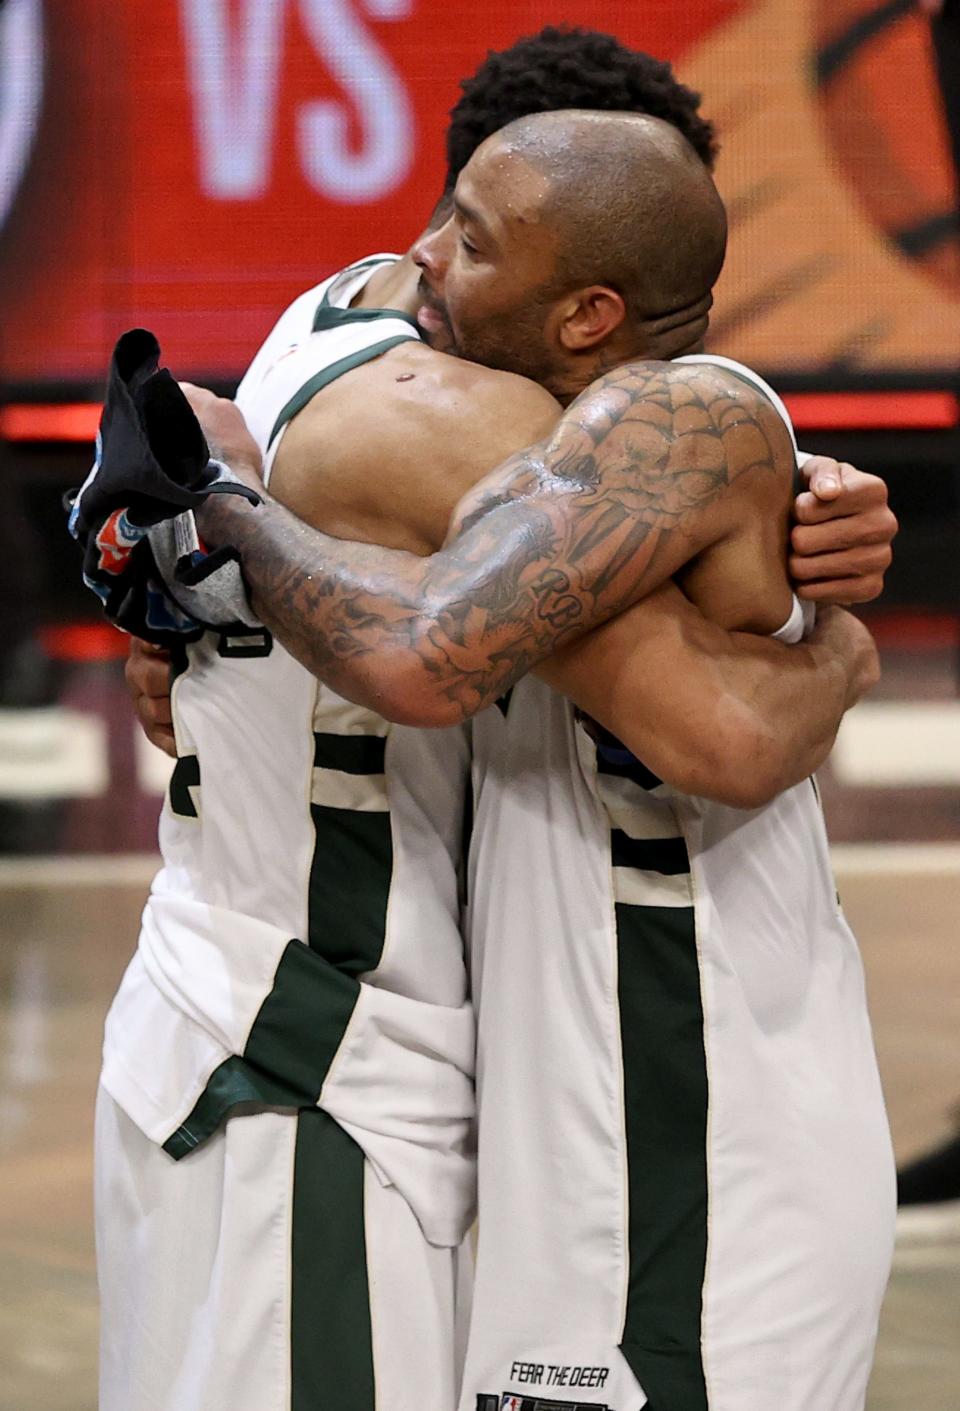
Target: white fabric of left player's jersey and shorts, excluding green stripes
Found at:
x=188, y=1268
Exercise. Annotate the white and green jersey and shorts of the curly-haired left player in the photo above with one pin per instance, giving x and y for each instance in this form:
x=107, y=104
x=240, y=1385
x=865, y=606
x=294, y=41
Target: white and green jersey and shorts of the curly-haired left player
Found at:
x=300, y=953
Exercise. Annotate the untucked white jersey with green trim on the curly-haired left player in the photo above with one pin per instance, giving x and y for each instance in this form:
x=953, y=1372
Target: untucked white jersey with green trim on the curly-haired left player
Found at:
x=303, y=942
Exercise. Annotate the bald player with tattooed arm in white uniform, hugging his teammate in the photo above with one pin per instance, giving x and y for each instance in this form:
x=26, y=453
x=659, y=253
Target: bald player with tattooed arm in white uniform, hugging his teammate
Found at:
x=594, y=1269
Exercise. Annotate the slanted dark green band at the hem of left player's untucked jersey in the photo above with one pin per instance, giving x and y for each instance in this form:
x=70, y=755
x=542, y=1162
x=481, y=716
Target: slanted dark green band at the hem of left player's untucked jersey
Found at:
x=289, y=1052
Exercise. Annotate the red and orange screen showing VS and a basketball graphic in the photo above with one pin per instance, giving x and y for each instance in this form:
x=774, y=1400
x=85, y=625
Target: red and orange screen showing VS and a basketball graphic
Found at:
x=191, y=166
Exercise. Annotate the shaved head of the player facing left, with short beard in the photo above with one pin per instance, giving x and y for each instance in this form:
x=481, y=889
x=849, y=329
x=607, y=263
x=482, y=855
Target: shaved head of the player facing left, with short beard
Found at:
x=578, y=241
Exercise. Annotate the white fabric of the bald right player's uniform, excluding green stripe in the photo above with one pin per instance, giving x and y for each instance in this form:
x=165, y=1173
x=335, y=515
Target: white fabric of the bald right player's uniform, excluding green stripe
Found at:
x=801, y=1172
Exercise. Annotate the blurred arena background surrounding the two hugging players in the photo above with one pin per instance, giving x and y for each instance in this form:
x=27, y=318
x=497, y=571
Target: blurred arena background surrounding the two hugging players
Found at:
x=191, y=166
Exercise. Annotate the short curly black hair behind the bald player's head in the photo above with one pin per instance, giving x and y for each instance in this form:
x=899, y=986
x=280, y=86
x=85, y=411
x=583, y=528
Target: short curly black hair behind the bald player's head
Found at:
x=570, y=67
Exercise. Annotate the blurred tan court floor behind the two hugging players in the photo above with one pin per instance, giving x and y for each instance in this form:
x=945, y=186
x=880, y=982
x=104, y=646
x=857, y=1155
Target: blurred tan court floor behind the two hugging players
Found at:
x=68, y=925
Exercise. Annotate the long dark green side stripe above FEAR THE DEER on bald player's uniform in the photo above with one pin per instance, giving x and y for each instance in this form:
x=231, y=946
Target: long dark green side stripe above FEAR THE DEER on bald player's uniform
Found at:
x=666, y=1096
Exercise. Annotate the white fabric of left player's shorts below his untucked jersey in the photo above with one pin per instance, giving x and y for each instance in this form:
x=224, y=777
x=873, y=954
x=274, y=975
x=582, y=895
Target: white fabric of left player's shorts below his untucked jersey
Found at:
x=179, y=1242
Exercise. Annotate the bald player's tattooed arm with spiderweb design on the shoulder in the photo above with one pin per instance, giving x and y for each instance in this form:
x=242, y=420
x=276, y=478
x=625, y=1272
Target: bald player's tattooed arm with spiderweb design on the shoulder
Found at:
x=553, y=544
